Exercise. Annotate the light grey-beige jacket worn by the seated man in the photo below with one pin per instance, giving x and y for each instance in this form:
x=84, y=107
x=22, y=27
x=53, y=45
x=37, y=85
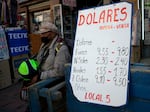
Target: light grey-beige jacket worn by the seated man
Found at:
x=52, y=58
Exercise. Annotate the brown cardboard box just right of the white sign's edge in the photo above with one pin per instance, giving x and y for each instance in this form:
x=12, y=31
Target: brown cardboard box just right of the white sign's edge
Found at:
x=135, y=54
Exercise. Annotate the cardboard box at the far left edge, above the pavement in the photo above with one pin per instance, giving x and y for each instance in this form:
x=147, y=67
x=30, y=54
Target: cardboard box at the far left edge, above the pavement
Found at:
x=5, y=74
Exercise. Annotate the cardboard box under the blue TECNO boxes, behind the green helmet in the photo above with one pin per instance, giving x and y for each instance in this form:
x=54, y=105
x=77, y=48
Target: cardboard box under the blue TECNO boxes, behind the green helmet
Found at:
x=16, y=60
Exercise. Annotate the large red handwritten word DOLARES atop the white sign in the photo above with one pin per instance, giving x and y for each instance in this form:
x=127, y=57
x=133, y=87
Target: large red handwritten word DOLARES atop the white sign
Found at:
x=104, y=16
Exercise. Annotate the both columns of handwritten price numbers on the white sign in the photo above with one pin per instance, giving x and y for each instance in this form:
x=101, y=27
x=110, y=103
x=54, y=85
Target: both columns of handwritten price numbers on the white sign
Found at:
x=119, y=63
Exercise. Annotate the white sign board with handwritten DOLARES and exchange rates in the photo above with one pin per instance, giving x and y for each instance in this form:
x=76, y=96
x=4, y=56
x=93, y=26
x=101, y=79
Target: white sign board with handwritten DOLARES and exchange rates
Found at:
x=100, y=65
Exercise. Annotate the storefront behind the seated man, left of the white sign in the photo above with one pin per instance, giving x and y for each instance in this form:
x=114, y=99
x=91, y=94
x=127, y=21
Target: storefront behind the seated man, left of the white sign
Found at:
x=60, y=12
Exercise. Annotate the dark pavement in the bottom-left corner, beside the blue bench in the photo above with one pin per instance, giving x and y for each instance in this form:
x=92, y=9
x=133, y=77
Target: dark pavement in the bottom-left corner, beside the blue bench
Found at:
x=10, y=99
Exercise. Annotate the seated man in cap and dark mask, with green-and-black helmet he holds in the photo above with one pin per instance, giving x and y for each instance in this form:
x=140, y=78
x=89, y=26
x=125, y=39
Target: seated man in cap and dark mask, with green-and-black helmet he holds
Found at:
x=50, y=60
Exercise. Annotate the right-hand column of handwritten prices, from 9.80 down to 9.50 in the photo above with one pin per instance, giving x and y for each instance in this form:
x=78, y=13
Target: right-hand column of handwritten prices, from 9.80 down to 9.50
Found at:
x=121, y=66
